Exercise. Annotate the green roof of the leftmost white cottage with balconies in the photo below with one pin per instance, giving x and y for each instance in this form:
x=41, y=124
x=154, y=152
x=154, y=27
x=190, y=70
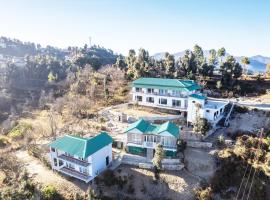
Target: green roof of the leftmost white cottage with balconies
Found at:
x=81, y=147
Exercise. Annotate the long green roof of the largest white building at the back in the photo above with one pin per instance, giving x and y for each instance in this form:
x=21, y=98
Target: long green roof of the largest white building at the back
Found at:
x=170, y=84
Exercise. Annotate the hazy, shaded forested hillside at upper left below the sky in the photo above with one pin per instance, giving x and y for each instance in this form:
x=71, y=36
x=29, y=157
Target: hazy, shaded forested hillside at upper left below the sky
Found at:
x=46, y=70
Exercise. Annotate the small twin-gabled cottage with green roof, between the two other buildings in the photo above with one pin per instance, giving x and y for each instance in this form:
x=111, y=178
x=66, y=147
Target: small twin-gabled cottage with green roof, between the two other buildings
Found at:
x=142, y=138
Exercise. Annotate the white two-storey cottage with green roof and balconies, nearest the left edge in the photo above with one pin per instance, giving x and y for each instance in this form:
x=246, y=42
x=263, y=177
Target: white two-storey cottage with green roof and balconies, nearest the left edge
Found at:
x=82, y=158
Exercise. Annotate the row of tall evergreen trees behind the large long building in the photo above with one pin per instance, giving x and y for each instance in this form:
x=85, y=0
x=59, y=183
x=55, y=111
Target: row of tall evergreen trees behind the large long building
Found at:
x=192, y=65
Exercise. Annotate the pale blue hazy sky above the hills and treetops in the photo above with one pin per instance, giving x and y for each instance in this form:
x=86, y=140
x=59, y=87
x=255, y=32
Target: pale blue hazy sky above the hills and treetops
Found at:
x=241, y=26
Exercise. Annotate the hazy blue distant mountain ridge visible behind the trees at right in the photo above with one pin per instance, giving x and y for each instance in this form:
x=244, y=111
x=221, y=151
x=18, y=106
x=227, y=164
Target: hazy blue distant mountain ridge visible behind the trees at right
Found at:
x=257, y=63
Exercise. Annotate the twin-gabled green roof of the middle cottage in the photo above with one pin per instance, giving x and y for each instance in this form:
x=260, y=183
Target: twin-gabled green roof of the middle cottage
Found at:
x=155, y=129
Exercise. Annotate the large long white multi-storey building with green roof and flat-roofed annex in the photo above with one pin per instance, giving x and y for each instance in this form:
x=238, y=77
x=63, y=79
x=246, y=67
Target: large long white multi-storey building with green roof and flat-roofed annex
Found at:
x=179, y=95
